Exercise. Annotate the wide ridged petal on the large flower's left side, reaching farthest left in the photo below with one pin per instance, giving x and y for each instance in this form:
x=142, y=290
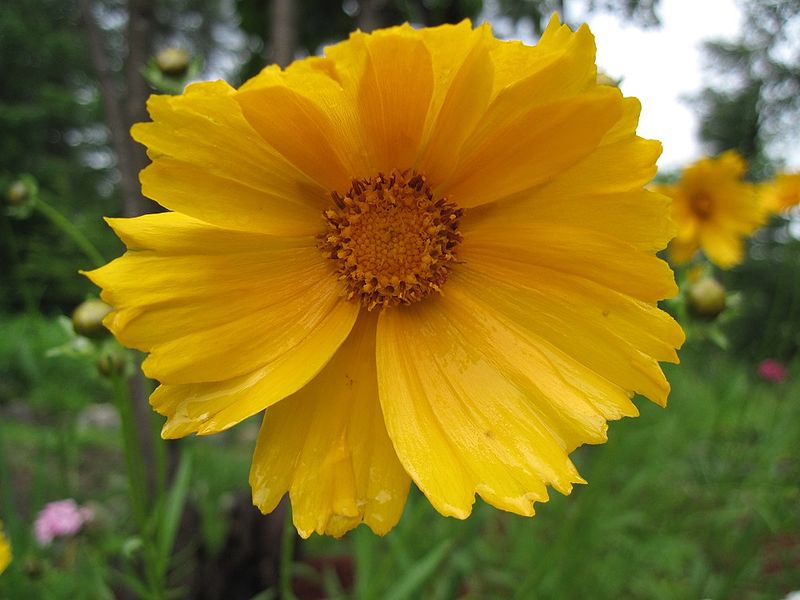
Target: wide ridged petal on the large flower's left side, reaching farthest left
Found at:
x=255, y=323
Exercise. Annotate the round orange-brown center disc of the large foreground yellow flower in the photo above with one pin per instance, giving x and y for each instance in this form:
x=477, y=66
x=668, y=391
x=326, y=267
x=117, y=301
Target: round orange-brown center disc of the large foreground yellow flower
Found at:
x=394, y=241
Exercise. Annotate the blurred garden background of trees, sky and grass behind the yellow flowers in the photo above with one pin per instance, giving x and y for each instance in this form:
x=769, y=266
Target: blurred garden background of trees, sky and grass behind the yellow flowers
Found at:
x=701, y=500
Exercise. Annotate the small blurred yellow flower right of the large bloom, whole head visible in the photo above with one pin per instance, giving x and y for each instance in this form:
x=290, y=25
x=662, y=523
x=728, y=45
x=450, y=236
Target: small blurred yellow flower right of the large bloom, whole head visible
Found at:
x=713, y=209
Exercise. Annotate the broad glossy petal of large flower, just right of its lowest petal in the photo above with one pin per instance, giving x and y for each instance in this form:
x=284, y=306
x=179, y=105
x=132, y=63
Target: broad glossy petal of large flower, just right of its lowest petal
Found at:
x=460, y=422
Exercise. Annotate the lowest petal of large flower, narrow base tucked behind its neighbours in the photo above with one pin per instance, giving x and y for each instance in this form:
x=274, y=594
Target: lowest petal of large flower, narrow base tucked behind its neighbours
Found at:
x=327, y=446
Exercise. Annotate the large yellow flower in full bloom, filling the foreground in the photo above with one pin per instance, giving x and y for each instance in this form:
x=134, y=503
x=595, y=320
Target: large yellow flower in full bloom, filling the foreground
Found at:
x=428, y=254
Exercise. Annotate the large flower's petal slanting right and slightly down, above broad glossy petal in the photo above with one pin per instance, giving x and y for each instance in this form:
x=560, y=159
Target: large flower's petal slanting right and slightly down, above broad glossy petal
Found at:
x=617, y=335
